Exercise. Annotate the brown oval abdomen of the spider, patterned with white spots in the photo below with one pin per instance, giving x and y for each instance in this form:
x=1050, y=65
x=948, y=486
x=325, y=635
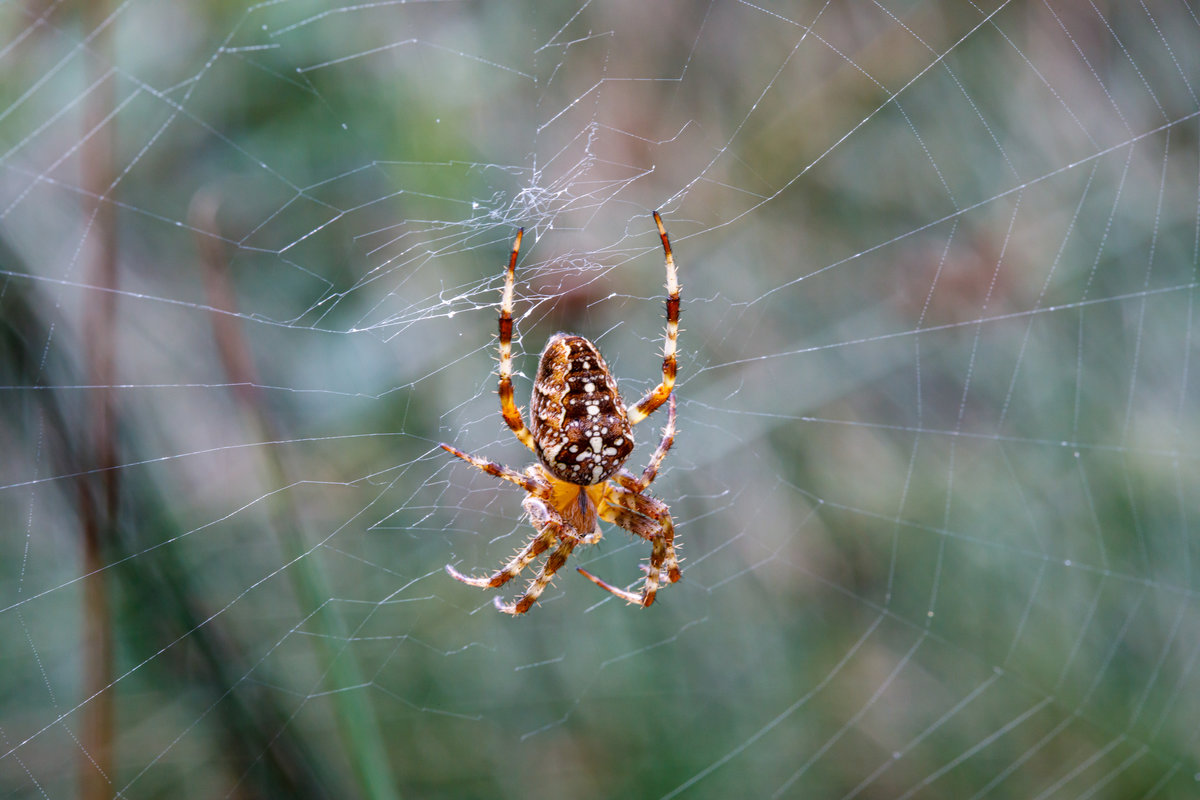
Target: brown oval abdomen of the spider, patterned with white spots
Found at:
x=580, y=426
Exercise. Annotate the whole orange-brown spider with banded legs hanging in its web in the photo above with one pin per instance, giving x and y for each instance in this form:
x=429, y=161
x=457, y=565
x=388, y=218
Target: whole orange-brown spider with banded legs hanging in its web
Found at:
x=583, y=435
